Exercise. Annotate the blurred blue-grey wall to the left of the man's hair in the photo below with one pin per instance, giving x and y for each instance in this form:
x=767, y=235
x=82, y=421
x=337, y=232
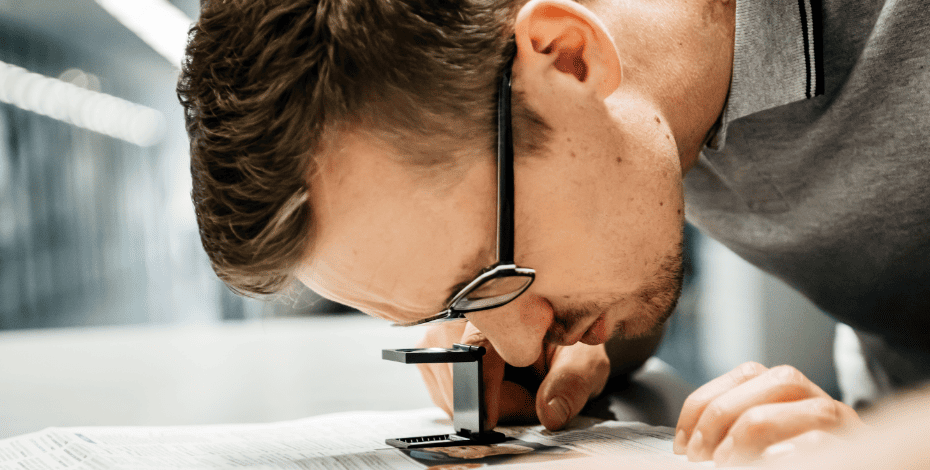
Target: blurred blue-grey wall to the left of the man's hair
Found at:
x=95, y=230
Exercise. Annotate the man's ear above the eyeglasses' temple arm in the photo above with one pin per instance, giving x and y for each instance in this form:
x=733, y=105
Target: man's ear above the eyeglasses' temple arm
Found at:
x=563, y=36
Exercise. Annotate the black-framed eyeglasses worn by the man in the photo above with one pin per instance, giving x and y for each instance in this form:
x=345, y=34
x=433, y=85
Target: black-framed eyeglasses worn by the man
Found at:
x=503, y=281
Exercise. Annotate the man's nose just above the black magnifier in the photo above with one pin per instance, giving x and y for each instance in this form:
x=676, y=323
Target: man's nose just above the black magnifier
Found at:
x=517, y=329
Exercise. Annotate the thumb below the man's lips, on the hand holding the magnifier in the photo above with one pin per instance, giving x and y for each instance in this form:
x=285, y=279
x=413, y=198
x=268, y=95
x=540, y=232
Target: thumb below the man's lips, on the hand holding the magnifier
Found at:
x=576, y=374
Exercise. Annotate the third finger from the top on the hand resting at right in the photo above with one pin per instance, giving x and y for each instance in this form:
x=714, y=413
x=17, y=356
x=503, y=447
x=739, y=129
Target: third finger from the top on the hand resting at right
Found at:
x=764, y=426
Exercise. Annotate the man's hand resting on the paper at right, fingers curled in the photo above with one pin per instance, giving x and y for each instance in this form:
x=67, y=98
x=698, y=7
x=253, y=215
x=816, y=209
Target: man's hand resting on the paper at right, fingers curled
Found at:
x=753, y=412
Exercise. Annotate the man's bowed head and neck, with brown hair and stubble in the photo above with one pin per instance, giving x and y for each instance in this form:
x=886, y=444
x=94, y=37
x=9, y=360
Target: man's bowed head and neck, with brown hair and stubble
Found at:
x=396, y=201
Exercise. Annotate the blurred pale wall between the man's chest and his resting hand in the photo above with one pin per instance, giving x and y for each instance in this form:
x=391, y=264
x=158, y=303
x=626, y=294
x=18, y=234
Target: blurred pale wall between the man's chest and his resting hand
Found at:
x=742, y=314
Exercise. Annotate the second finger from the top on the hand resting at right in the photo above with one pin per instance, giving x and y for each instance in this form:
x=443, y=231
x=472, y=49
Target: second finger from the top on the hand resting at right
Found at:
x=778, y=384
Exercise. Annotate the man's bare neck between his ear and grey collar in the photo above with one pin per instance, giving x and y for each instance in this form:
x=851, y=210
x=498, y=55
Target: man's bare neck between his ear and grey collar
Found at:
x=679, y=55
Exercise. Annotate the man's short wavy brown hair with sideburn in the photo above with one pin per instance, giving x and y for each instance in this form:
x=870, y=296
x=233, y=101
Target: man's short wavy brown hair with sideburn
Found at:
x=265, y=83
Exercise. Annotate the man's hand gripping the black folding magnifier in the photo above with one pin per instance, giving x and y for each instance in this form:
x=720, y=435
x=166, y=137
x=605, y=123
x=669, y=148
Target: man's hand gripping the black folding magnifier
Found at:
x=566, y=376
